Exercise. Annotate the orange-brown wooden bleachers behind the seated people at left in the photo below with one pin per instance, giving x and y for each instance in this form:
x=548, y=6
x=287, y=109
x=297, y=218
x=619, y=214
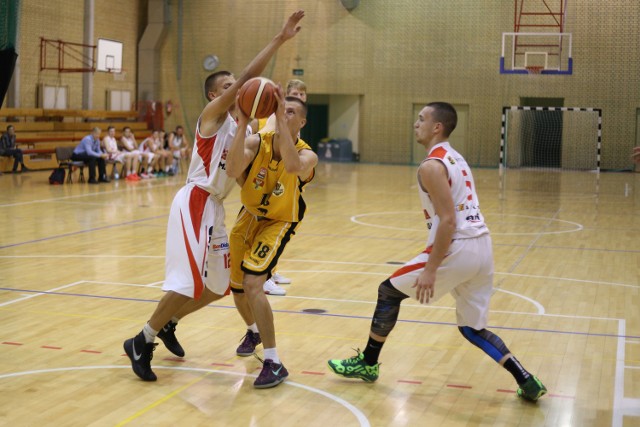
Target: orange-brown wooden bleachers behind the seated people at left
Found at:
x=39, y=131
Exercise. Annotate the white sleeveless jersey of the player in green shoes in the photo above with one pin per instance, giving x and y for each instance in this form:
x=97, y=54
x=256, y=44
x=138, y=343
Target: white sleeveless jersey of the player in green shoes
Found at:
x=469, y=220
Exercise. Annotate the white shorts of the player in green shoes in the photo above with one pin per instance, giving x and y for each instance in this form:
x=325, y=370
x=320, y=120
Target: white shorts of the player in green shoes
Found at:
x=466, y=272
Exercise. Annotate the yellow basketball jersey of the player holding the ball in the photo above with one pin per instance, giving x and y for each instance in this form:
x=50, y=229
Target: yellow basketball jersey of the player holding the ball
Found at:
x=269, y=191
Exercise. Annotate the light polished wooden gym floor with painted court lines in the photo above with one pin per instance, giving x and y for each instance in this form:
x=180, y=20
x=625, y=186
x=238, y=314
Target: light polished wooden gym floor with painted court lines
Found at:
x=81, y=267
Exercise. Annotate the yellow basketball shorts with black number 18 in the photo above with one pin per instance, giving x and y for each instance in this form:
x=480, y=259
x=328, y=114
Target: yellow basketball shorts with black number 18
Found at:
x=256, y=245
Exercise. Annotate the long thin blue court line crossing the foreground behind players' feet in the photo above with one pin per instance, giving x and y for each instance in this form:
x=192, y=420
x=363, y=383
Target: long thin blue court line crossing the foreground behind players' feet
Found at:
x=345, y=316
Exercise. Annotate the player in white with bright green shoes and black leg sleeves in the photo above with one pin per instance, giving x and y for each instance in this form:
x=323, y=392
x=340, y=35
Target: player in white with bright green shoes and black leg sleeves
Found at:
x=458, y=258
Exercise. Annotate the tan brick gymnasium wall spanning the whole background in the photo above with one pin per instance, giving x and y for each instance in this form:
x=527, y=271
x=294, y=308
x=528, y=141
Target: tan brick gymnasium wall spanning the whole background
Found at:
x=391, y=53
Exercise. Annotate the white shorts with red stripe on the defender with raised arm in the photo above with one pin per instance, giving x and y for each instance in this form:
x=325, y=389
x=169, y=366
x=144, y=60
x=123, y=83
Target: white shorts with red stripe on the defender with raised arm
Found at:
x=197, y=253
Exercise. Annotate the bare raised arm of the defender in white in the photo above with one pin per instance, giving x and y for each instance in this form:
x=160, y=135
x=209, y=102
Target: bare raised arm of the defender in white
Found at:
x=220, y=105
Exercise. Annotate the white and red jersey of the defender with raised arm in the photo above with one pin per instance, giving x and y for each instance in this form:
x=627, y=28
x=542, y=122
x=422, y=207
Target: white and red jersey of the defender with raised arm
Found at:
x=209, y=159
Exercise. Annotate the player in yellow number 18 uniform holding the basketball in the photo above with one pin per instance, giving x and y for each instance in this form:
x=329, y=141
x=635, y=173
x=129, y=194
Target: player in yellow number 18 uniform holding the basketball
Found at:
x=277, y=166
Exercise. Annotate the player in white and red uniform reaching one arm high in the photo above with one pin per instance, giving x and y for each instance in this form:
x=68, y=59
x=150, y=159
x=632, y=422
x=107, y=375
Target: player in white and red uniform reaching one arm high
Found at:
x=197, y=248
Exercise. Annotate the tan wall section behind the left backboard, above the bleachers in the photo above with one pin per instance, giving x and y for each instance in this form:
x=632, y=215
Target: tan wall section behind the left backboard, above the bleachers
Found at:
x=64, y=20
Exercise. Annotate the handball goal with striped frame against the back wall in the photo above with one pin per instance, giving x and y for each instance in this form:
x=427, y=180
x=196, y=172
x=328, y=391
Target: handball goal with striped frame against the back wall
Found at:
x=551, y=138
